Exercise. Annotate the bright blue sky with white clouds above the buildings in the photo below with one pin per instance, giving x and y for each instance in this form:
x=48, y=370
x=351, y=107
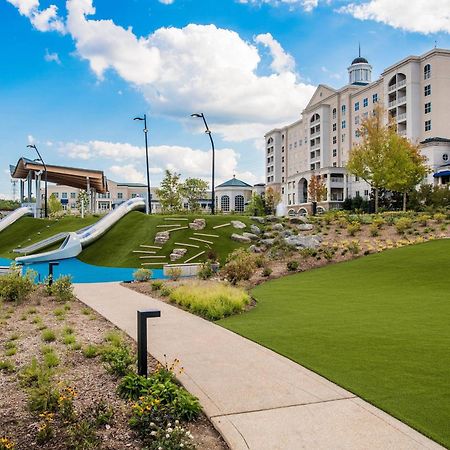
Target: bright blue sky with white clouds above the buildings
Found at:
x=74, y=74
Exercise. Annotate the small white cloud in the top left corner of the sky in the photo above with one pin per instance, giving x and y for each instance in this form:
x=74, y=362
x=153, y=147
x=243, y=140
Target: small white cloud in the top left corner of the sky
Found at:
x=42, y=19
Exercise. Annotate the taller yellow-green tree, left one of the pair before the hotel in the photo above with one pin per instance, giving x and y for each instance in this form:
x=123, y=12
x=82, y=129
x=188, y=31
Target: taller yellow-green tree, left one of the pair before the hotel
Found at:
x=368, y=159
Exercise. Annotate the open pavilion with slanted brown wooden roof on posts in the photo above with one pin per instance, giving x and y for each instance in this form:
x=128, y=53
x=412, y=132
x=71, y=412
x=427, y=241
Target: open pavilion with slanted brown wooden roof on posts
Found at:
x=28, y=171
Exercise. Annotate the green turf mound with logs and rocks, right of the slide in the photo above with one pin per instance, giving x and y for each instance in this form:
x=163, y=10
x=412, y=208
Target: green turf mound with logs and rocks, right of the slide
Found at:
x=116, y=247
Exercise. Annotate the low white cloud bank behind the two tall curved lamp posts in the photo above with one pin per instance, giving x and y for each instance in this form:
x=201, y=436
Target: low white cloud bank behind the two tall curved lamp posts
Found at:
x=185, y=160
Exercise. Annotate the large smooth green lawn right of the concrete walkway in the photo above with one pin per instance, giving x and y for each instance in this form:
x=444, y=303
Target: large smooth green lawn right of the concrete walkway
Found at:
x=378, y=326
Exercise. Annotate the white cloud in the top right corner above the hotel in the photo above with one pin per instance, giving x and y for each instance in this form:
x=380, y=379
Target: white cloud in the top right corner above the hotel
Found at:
x=423, y=16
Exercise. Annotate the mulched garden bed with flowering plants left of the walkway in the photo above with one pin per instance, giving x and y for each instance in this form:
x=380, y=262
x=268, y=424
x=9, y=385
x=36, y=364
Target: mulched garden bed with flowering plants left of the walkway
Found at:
x=67, y=381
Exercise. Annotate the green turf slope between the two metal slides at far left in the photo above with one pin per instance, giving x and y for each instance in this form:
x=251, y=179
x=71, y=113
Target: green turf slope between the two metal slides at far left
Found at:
x=27, y=231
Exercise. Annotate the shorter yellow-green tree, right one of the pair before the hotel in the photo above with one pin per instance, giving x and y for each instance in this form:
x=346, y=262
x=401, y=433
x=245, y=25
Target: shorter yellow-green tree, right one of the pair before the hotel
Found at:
x=406, y=166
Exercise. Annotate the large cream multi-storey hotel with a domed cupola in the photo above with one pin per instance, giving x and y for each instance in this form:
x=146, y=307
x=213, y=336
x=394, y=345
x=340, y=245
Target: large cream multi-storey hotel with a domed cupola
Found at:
x=414, y=91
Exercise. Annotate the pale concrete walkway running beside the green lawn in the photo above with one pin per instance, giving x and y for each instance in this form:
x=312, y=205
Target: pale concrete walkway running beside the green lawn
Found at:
x=256, y=398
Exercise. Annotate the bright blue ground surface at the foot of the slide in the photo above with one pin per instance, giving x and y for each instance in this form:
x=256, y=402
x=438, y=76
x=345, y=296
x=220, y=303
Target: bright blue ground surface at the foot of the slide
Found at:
x=84, y=273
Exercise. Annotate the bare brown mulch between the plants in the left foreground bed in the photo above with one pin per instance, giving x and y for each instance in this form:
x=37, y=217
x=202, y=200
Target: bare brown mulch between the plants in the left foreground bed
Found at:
x=87, y=376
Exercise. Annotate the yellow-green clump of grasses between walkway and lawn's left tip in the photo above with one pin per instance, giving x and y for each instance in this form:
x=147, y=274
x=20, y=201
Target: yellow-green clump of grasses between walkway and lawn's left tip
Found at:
x=212, y=300
